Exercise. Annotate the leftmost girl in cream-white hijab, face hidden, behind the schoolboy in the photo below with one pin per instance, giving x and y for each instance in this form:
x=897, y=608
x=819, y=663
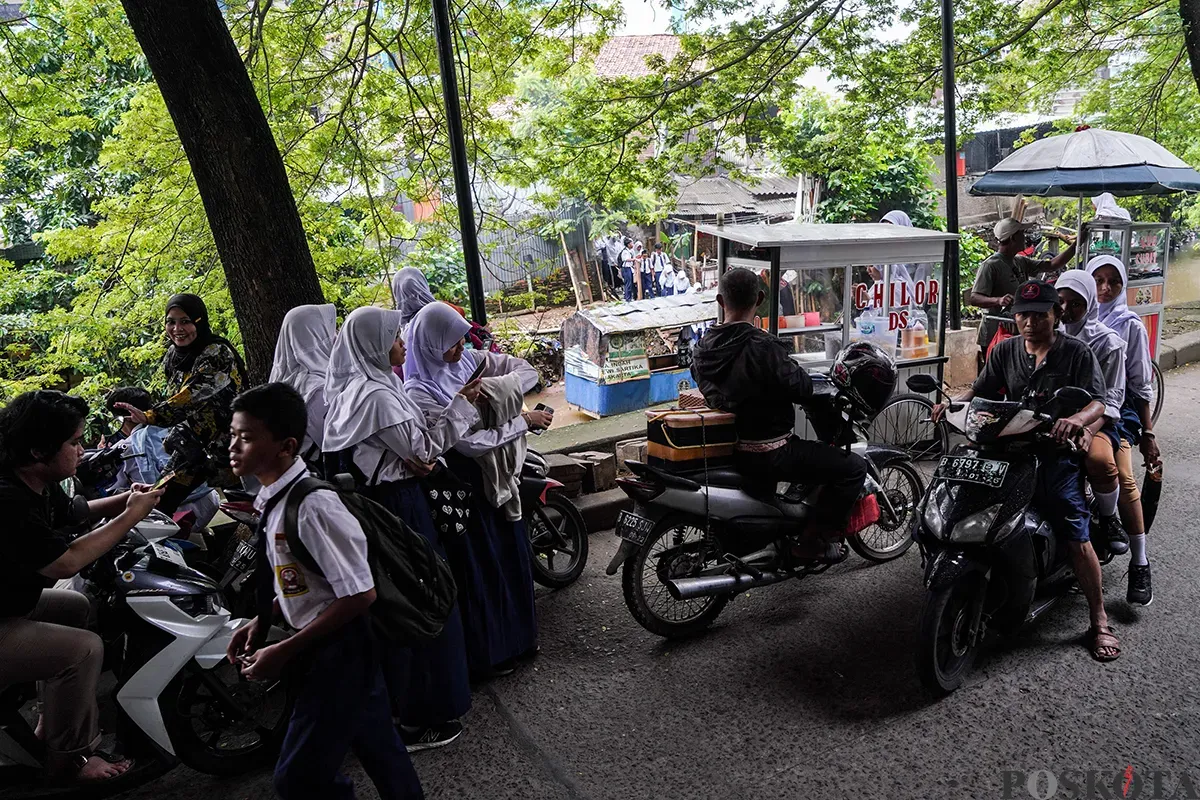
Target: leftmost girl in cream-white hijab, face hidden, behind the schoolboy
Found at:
x=302, y=357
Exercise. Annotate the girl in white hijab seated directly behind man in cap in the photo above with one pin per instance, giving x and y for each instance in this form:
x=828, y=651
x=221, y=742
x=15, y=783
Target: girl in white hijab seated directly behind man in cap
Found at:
x=1081, y=318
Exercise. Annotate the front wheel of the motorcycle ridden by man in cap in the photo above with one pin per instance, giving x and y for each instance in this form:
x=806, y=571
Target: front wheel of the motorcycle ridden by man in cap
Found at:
x=945, y=657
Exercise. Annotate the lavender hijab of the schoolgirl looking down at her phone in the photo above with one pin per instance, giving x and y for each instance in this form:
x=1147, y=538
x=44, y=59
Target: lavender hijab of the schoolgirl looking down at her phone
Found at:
x=437, y=329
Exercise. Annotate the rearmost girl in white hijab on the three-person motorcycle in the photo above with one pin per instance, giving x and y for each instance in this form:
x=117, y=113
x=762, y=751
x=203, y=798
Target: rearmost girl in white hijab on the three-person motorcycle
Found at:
x=1137, y=426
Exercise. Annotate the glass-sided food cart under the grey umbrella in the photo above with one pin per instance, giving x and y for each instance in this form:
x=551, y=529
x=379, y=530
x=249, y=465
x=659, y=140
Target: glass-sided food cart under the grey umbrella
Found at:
x=1144, y=248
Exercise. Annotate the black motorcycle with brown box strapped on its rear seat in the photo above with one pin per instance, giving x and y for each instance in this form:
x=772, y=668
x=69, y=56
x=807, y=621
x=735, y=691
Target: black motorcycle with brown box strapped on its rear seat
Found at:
x=694, y=540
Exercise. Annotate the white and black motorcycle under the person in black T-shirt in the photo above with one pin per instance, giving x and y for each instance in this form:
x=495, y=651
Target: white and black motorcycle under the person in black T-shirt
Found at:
x=166, y=633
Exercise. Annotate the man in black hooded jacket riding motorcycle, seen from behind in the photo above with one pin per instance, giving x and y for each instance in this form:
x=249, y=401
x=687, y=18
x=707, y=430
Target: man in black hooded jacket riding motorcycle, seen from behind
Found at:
x=747, y=372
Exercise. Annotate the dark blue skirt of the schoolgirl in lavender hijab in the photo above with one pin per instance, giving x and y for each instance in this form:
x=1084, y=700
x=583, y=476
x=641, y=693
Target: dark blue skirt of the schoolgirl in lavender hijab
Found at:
x=493, y=566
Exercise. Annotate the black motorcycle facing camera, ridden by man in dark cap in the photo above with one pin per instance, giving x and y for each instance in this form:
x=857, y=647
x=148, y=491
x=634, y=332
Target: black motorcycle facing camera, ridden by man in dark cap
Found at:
x=992, y=562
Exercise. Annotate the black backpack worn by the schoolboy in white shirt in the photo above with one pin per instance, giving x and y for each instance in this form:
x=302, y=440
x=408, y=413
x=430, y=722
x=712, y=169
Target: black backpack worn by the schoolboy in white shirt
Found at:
x=415, y=587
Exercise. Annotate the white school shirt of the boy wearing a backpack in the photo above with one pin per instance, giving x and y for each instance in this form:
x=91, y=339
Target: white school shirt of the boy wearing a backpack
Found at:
x=335, y=540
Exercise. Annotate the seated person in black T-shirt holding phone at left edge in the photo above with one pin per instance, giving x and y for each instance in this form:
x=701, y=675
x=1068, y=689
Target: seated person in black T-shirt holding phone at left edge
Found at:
x=44, y=634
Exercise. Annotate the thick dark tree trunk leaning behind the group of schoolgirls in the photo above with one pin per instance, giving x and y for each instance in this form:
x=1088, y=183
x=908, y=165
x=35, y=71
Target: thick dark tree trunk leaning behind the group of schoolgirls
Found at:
x=237, y=166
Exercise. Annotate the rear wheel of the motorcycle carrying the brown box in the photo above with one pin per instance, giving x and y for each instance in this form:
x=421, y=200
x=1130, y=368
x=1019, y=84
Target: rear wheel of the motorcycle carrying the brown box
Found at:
x=676, y=549
